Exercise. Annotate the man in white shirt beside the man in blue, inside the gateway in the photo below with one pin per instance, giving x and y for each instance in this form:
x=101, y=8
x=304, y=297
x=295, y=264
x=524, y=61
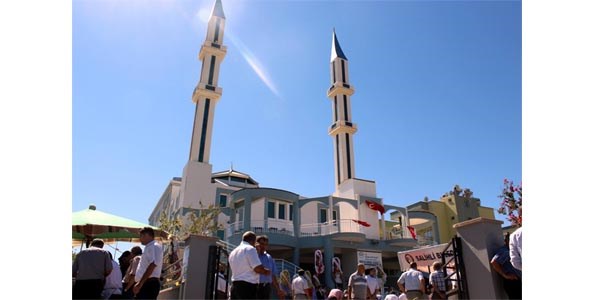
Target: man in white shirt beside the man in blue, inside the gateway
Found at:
x=245, y=268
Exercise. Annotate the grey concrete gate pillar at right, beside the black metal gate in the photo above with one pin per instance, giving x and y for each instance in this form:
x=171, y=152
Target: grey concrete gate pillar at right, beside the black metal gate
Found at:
x=480, y=238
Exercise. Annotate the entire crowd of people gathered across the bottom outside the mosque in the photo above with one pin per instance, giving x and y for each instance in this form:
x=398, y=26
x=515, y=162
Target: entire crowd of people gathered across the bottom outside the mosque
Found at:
x=254, y=275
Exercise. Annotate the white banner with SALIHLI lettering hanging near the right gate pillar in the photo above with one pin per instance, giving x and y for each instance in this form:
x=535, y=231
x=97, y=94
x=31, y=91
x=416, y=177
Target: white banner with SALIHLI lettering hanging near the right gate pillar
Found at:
x=424, y=257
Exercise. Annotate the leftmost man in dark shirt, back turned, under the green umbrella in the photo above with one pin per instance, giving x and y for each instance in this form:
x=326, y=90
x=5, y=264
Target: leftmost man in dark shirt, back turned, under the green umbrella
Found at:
x=90, y=268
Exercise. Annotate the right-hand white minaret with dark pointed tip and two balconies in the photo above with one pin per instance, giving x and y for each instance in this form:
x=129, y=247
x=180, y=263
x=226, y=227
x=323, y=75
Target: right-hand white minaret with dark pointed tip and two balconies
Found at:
x=342, y=128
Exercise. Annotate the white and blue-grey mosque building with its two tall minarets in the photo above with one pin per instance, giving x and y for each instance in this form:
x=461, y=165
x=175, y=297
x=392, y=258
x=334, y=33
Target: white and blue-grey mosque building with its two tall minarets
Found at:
x=350, y=224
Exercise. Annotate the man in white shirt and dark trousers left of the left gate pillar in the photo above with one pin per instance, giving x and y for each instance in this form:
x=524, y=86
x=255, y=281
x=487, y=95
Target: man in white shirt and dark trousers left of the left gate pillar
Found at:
x=147, y=275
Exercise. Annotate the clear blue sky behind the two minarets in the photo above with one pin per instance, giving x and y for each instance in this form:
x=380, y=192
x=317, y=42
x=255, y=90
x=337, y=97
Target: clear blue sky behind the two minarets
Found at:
x=437, y=101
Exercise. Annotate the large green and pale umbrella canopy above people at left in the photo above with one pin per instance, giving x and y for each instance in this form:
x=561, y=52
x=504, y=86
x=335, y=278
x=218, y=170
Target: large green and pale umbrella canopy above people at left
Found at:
x=90, y=223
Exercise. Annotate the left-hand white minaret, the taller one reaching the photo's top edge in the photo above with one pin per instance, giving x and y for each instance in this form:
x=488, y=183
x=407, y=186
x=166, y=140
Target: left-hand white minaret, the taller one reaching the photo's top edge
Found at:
x=207, y=93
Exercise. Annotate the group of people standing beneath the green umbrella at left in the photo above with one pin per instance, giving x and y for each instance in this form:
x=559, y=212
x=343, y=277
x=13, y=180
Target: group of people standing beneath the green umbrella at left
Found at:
x=136, y=276
